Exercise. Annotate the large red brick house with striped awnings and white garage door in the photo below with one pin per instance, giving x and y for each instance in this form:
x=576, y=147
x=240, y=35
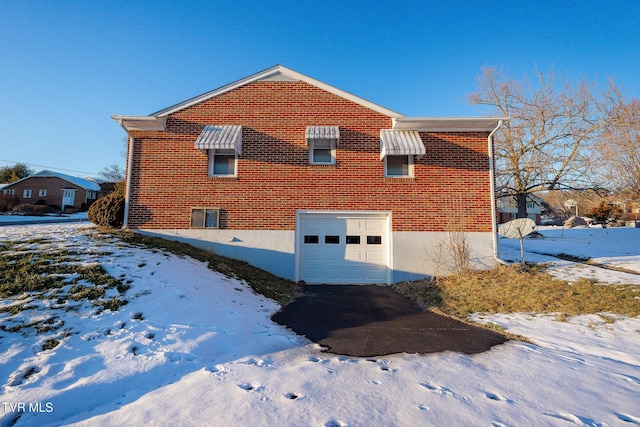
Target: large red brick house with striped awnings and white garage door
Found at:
x=310, y=182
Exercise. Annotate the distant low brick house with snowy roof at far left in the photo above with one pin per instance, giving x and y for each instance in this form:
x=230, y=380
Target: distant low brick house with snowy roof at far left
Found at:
x=55, y=189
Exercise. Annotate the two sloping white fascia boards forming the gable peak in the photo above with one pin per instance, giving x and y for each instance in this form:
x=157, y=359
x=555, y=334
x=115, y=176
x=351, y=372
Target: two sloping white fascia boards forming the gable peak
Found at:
x=278, y=69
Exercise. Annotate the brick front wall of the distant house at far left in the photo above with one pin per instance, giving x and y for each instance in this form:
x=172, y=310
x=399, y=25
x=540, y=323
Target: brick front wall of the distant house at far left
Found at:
x=54, y=188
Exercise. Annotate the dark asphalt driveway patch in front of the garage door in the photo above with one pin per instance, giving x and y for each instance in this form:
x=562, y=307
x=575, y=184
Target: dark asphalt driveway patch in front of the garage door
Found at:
x=370, y=320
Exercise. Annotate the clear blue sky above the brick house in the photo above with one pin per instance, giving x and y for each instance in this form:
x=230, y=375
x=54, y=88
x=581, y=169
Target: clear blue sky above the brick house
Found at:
x=67, y=66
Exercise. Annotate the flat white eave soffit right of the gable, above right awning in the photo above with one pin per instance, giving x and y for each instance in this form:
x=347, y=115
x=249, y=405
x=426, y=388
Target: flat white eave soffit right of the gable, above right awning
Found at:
x=448, y=124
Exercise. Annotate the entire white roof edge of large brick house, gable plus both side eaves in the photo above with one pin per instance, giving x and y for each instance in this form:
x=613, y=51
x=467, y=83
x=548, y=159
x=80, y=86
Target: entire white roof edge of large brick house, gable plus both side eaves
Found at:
x=158, y=120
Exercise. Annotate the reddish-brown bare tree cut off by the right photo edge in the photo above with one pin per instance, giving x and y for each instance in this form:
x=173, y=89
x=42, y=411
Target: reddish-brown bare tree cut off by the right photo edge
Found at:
x=619, y=150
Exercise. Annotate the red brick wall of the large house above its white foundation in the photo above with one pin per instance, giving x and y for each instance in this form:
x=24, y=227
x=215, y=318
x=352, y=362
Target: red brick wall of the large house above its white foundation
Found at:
x=169, y=176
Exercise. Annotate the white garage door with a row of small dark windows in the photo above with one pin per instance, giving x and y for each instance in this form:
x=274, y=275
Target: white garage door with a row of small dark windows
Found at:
x=343, y=248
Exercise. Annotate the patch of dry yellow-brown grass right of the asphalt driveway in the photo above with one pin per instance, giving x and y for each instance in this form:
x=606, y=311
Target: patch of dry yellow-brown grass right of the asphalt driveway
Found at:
x=509, y=289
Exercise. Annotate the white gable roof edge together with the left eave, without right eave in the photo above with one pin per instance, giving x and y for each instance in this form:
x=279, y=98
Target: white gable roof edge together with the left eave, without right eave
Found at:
x=157, y=120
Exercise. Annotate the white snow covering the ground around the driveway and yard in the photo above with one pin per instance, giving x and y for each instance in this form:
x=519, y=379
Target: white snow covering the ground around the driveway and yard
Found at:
x=193, y=347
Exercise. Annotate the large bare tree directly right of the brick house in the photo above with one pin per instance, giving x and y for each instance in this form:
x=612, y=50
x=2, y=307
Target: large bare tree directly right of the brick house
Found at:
x=549, y=142
